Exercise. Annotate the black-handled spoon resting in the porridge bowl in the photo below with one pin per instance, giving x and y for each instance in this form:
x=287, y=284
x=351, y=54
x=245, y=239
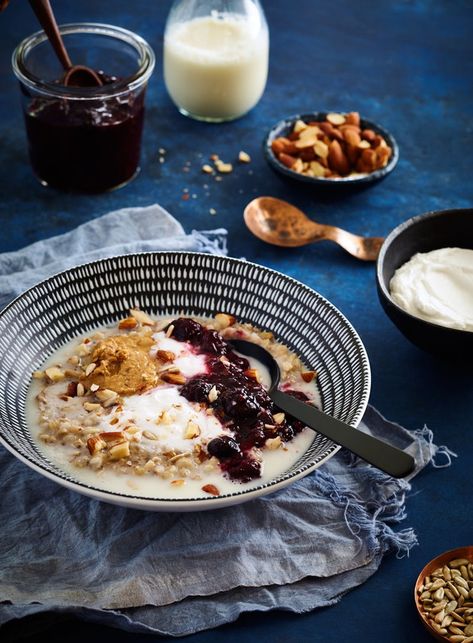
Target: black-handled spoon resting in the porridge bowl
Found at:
x=389, y=459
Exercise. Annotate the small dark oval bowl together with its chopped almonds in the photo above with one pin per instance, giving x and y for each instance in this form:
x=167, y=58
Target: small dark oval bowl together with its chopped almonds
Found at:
x=331, y=149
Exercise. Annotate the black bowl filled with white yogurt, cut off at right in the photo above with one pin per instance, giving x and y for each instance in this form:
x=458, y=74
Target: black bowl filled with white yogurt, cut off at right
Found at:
x=429, y=296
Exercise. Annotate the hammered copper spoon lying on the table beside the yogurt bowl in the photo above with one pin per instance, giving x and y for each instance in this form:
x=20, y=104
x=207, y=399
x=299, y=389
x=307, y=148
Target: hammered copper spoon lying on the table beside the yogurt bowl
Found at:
x=282, y=224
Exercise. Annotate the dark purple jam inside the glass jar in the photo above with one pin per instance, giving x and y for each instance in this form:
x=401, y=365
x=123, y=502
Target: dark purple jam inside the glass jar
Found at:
x=86, y=145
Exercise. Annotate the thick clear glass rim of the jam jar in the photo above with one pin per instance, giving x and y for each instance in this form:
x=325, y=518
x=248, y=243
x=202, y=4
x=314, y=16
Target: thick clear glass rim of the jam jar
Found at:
x=123, y=86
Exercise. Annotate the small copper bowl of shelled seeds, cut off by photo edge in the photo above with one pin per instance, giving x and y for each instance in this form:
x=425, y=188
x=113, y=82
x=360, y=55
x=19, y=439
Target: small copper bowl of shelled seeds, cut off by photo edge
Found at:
x=443, y=596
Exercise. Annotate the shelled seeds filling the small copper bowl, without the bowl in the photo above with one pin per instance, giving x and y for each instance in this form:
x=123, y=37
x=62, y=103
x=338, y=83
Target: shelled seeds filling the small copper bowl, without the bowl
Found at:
x=446, y=600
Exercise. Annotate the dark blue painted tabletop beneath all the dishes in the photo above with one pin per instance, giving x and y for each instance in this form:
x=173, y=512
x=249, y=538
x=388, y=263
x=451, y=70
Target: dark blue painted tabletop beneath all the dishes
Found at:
x=407, y=65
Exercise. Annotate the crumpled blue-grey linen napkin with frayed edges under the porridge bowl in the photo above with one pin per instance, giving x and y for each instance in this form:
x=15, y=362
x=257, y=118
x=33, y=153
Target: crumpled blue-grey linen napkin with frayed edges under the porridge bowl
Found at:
x=296, y=549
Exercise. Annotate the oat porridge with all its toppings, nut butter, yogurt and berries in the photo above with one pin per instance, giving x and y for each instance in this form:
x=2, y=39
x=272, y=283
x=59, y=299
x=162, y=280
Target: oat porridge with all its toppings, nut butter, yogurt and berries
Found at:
x=165, y=408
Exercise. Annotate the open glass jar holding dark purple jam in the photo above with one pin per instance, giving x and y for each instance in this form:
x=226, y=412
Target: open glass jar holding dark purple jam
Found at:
x=85, y=139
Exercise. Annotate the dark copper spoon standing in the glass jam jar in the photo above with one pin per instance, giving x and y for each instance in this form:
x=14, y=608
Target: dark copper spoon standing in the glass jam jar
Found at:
x=76, y=75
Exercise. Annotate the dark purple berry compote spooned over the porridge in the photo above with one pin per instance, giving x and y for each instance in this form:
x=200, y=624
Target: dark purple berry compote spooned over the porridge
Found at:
x=241, y=403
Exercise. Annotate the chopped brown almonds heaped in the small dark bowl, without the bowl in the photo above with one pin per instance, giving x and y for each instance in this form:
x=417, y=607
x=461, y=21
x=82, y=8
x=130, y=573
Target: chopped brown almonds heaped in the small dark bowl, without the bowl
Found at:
x=332, y=148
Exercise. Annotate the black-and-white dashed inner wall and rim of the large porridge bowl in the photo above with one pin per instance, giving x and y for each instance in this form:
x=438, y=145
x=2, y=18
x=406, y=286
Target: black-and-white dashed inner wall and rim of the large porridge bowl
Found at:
x=170, y=283
